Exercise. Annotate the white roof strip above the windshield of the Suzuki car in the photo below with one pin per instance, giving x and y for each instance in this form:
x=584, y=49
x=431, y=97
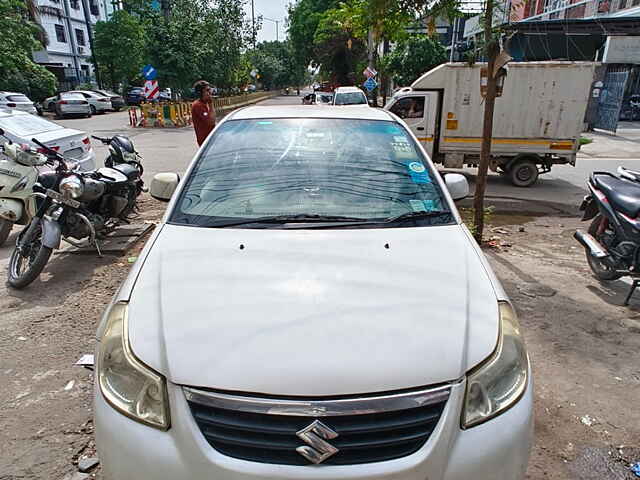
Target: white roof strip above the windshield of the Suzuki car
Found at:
x=363, y=112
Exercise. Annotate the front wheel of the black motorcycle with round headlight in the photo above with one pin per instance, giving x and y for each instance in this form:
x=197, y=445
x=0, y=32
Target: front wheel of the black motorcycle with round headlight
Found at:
x=28, y=261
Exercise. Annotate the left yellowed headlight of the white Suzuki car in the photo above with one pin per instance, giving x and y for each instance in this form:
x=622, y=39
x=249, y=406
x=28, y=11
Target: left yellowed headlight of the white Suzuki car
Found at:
x=126, y=383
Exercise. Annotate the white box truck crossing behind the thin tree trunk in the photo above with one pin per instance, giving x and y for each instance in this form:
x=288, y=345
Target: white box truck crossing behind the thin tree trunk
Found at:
x=537, y=122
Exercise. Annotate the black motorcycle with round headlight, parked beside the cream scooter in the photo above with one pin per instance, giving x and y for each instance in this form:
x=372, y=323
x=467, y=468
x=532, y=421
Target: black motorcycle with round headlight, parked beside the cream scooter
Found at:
x=74, y=206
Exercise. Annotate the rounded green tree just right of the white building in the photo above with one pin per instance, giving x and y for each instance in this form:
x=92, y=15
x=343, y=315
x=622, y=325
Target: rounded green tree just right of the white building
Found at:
x=120, y=48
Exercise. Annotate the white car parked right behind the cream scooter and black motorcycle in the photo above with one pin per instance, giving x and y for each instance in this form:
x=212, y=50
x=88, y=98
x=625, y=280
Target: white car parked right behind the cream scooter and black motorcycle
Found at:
x=22, y=127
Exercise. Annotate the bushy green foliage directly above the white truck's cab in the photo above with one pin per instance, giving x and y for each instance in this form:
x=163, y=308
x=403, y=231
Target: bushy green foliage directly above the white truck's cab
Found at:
x=413, y=57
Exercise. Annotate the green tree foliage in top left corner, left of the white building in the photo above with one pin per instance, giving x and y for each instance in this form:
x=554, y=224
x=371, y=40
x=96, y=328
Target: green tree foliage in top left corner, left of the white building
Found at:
x=18, y=39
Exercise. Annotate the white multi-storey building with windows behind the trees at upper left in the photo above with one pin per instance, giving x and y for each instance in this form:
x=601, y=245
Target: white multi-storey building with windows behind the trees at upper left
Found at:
x=68, y=53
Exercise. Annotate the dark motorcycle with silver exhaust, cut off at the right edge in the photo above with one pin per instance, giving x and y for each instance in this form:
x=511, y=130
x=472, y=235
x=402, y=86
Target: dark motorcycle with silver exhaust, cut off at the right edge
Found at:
x=612, y=241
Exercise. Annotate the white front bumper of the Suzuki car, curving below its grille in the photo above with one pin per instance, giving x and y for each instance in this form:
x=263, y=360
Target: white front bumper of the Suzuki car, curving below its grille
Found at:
x=496, y=450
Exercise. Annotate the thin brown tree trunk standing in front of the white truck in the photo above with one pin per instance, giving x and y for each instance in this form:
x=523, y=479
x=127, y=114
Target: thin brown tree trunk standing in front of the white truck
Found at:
x=487, y=127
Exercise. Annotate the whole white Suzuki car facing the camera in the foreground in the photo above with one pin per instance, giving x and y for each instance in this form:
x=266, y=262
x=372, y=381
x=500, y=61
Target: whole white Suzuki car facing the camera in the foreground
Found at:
x=312, y=307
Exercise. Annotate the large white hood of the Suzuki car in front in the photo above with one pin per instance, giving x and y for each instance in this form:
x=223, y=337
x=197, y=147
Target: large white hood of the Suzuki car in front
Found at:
x=313, y=312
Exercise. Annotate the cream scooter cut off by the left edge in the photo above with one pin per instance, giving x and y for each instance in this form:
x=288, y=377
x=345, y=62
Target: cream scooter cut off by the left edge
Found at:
x=18, y=174
